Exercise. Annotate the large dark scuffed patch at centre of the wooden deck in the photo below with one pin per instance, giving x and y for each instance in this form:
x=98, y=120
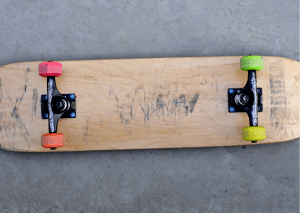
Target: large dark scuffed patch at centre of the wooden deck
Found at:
x=154, y=103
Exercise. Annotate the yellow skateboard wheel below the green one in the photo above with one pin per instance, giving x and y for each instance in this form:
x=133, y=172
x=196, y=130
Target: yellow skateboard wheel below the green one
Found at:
x=254, y=133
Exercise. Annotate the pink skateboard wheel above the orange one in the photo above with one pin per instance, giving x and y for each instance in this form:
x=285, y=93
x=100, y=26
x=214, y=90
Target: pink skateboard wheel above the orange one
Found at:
x=50, y=68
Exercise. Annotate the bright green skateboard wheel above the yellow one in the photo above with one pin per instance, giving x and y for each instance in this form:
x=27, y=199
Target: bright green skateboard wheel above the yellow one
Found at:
x=252, y=62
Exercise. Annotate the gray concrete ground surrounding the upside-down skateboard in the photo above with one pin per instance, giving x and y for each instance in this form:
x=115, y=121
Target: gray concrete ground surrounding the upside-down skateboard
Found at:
x=262, y=178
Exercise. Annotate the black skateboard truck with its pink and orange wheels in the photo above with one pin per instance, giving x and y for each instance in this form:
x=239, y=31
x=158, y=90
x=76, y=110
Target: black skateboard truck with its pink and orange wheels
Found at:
x=55, y=105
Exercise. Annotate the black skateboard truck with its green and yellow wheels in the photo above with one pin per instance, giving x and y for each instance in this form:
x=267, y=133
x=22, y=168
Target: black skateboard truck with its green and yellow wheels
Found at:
x=249, y=99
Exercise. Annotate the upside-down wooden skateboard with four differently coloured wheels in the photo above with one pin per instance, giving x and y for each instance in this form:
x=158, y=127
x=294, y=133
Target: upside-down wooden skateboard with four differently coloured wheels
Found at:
x=148, y=103
